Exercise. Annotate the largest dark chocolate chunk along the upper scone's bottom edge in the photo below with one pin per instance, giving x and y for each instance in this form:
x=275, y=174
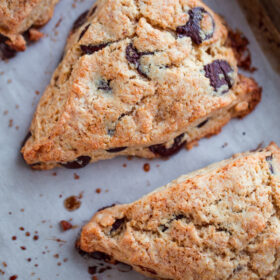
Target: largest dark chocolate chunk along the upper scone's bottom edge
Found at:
x=162, y=151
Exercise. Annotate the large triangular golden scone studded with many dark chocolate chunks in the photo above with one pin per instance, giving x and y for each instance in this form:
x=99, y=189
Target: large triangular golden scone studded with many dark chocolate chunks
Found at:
x=140, y=78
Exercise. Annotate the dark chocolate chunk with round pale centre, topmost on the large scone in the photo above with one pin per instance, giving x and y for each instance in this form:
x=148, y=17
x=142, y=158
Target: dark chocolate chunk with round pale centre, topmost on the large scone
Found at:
x=193, y=27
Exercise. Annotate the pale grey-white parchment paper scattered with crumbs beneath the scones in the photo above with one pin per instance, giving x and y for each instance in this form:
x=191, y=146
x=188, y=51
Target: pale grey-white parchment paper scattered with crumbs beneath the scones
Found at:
x=34, y=200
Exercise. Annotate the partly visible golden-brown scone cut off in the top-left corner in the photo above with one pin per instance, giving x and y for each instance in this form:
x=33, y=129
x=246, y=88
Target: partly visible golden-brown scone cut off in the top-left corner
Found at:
x=19, y=21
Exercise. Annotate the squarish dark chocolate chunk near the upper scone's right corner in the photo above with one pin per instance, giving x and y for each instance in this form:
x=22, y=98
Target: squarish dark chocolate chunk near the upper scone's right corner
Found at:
x=219, y=72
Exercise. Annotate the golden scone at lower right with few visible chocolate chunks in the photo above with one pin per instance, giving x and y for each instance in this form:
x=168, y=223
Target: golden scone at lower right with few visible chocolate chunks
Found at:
x=220, y=222
